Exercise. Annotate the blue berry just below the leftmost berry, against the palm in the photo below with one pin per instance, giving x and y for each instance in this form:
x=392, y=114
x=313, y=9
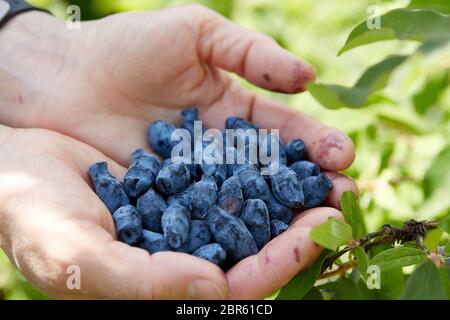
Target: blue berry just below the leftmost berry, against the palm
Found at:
x=128, y=223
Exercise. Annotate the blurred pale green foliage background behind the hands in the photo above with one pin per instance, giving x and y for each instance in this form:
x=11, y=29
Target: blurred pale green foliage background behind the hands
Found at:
x=398, y=138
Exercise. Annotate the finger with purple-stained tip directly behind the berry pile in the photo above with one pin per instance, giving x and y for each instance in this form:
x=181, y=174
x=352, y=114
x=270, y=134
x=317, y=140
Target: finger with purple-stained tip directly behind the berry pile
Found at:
x=330, y=148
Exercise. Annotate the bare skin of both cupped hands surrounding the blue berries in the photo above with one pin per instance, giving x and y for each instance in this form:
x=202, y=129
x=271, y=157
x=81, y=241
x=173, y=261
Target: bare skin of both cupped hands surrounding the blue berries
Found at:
x=99, y=87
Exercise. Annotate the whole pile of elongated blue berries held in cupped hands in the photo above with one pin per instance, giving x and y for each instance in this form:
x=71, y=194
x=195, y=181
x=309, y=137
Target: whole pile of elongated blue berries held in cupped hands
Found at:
x=221, y=212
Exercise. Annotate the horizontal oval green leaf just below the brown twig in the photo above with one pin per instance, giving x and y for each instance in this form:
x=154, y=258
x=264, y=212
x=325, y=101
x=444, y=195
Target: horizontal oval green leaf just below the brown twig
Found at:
x=398, y=257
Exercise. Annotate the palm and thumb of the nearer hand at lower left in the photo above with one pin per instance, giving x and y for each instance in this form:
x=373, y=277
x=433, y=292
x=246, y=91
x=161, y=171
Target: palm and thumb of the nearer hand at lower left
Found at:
x=51, y=219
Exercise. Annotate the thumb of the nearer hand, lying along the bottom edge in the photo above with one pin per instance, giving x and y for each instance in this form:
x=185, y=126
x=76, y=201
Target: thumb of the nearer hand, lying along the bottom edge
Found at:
x=114, y=270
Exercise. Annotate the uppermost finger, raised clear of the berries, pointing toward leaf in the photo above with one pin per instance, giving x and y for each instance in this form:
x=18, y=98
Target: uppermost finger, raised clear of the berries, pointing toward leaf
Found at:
x=254, y=56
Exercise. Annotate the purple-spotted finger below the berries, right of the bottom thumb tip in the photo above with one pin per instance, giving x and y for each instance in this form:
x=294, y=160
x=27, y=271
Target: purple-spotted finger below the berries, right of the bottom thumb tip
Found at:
x=281, y=259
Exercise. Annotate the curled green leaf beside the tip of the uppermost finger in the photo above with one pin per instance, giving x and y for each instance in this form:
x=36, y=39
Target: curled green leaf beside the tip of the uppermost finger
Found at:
x=375, y=78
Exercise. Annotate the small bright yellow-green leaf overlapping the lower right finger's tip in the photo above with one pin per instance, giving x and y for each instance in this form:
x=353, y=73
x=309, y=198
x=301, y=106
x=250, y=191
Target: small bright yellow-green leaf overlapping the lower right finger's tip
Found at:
x=332, y=234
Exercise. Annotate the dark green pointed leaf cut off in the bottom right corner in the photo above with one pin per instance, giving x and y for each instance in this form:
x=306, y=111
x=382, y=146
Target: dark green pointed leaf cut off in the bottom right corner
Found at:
x=424, y=284
